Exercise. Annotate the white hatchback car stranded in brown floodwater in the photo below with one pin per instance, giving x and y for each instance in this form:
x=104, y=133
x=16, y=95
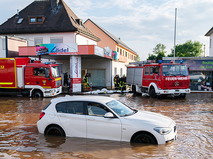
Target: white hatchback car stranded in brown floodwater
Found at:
x=105, y=118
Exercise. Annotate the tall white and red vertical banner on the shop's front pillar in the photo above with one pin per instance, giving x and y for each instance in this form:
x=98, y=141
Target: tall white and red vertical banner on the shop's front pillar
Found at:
x=75, y=73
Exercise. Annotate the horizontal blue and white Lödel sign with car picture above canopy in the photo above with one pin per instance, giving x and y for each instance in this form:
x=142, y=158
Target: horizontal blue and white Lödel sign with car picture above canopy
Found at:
x=59, y=48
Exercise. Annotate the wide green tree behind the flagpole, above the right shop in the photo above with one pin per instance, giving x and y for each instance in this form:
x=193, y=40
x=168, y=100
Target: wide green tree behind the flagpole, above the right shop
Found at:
x=188, y=49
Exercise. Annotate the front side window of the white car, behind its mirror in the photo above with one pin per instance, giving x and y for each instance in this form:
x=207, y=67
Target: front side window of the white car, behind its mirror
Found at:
x=96, y=109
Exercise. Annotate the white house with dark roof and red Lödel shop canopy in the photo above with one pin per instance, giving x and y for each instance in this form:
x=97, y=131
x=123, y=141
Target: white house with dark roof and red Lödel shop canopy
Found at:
x=54, y=33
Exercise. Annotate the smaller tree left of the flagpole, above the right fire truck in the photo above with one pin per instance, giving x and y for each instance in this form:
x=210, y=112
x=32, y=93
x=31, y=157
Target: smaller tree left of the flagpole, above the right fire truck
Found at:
x=158, y=52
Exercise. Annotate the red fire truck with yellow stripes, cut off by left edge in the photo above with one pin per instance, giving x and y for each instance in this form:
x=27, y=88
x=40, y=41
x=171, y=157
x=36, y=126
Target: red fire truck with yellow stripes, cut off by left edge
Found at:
x=19, y=76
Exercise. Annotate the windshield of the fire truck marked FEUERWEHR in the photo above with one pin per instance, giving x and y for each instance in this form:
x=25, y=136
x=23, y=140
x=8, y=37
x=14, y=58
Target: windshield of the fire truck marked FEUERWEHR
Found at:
x=174, y=70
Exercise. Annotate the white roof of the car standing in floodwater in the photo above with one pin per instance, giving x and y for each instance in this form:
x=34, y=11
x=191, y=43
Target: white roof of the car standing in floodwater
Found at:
x=100, y=99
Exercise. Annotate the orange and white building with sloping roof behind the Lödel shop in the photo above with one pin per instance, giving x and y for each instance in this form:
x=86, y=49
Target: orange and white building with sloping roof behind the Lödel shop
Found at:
x=123, y=55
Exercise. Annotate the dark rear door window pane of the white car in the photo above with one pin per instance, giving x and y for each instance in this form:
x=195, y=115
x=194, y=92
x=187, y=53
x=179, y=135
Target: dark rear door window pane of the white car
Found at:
x=75, y=107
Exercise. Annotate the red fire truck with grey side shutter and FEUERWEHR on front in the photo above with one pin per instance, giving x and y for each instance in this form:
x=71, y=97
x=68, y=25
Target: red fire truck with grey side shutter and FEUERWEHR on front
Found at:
x=159, y=79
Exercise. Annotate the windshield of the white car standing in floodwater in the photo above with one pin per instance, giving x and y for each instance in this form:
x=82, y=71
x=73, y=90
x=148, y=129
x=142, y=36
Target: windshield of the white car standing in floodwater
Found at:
x=120, y=108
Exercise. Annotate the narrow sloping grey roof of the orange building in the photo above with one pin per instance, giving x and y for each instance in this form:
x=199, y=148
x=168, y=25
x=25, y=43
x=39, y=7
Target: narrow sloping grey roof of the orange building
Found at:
x=114, y=38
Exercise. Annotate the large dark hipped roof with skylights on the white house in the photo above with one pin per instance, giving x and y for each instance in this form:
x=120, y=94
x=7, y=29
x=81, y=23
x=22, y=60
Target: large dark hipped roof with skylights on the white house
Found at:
x=58, y=19
